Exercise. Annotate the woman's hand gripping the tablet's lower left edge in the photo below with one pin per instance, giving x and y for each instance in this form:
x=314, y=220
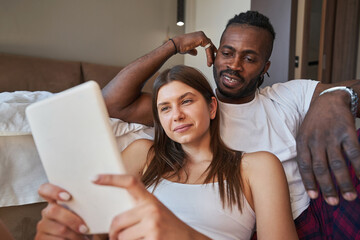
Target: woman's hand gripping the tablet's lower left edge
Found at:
x=58, y=222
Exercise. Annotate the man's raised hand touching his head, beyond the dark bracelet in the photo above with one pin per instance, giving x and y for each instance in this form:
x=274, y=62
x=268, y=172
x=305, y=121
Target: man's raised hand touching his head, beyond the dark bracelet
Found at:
x=188, y=42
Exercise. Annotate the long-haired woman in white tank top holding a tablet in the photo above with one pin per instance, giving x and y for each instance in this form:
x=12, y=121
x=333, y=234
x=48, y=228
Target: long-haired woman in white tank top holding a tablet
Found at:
x=216, y=191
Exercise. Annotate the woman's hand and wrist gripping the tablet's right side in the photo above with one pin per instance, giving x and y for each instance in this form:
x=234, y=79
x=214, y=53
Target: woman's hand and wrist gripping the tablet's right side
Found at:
x=149, y=219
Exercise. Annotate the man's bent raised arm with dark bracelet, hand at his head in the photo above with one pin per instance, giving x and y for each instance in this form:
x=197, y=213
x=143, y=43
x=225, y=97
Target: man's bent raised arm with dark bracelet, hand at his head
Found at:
x=123, y=96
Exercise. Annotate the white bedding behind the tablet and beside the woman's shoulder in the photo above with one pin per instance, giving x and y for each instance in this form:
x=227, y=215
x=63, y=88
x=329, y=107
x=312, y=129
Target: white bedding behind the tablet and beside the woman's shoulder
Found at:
x=21, y=172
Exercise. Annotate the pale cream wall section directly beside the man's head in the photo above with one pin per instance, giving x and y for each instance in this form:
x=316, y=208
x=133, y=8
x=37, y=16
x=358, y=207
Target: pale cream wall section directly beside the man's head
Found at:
x=211, y=17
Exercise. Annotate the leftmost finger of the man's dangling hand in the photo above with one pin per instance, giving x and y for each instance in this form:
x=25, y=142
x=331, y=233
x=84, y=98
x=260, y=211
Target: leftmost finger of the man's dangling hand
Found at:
x=305, y=168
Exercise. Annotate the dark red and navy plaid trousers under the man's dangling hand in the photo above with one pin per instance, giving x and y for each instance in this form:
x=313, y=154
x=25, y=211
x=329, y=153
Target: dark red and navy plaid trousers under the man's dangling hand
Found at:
x=322, y=221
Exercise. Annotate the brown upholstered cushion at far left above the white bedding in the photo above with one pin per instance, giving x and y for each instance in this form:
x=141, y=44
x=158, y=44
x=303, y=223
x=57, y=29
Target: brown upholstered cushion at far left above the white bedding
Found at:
x=37, y=74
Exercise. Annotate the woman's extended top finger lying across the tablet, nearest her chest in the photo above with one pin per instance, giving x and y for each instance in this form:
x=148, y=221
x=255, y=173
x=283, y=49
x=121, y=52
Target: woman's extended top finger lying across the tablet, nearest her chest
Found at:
x=131, y=183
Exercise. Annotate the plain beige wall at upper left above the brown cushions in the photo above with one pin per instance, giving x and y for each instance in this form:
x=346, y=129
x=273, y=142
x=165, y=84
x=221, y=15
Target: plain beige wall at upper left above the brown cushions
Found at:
x=109, y=32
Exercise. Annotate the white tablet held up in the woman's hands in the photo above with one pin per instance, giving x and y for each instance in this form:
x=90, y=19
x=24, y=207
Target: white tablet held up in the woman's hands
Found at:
x=75, y=142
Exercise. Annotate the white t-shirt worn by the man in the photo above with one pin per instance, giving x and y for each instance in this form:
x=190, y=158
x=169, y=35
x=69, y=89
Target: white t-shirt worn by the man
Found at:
x=270, y=122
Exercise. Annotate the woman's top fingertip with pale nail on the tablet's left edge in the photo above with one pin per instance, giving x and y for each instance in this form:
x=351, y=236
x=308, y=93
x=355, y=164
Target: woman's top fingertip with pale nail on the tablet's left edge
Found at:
x=52, y=193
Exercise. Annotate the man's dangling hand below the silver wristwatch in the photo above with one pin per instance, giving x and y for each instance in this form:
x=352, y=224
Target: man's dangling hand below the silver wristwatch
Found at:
x=327, y=132
